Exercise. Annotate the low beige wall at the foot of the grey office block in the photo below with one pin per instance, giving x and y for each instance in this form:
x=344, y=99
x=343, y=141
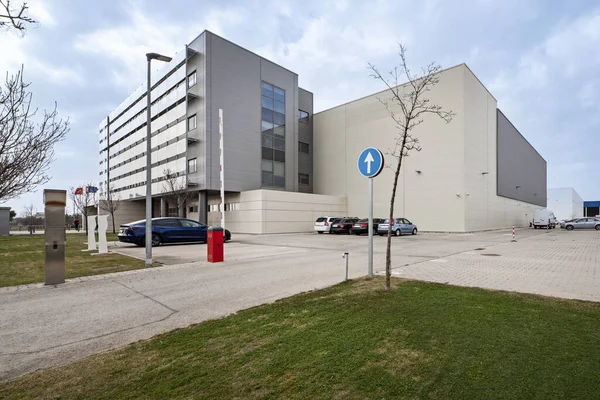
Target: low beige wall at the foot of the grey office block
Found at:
x=273, y=211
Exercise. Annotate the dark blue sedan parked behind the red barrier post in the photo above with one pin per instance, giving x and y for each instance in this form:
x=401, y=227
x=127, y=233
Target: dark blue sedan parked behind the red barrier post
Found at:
x=166, y=230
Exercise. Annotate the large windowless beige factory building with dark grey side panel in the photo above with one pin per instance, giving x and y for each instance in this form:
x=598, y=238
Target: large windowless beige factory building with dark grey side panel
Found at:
x=474, y=173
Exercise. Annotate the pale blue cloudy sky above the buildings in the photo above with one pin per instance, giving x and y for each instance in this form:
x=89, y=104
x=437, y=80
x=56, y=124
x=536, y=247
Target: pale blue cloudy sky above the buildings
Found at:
x=539, y=58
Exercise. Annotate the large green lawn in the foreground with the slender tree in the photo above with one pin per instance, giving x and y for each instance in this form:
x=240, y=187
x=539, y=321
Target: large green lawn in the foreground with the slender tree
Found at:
x=354, y=341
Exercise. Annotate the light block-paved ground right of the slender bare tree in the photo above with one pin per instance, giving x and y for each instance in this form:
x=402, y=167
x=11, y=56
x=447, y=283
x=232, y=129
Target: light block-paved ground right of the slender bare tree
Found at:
x=559, y=264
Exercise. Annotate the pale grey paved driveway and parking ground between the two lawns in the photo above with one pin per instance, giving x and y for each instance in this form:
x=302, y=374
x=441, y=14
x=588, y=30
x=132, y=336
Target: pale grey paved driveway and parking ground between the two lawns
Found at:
x=43, y=327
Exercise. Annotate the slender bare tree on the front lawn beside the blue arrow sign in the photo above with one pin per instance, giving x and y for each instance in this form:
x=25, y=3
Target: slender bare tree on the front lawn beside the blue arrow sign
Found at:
x=407, y=105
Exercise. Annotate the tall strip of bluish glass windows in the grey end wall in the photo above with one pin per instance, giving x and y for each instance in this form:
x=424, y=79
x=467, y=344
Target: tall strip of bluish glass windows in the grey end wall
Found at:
x=273, y=135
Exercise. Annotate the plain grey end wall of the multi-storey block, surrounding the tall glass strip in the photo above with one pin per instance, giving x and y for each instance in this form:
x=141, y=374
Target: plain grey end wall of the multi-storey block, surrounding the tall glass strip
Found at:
x=234, y=84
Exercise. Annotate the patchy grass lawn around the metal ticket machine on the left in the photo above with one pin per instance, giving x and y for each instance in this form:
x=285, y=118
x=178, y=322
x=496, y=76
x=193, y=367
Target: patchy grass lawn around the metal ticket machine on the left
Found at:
x=22, y=259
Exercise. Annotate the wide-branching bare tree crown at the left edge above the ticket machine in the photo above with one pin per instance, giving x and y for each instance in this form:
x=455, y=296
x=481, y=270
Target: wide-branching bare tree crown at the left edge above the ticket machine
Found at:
x=26, y=142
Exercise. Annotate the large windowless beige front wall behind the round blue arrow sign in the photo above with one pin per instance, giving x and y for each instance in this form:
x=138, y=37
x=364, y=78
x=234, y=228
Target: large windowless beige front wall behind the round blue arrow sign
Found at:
x=434, y=198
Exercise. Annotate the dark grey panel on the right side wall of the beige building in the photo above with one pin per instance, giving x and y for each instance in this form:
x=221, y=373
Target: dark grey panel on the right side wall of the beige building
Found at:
x=521, y=169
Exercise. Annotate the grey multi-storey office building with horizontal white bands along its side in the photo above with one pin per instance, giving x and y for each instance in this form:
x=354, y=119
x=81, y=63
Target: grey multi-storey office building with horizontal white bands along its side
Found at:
x=267, y=140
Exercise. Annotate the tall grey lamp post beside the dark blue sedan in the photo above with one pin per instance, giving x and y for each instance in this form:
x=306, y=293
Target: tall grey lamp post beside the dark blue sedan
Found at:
x=149, y=58
